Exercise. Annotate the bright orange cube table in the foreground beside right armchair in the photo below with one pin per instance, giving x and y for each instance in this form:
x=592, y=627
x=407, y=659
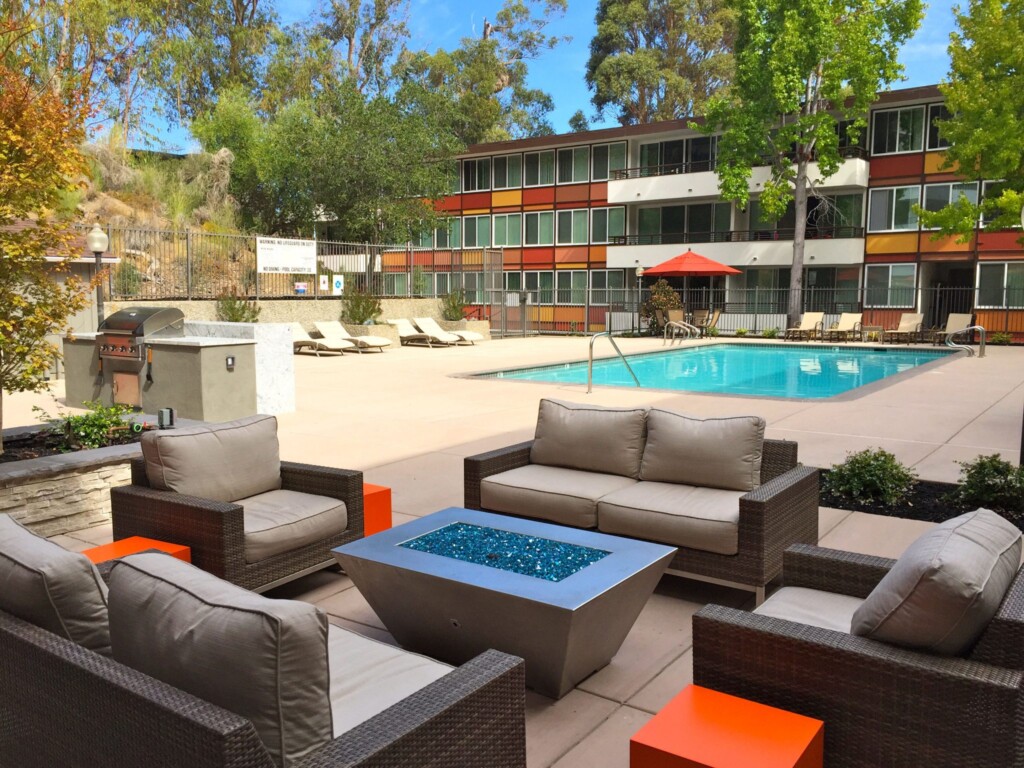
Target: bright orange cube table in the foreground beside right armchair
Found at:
x=702, y=729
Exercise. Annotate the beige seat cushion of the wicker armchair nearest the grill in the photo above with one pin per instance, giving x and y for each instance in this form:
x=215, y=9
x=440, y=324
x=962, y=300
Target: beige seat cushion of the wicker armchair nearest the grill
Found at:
x=282, y=521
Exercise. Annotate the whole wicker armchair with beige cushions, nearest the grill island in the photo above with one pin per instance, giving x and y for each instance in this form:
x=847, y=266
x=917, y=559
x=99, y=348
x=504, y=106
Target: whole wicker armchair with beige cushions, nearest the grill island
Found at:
x=249, y=518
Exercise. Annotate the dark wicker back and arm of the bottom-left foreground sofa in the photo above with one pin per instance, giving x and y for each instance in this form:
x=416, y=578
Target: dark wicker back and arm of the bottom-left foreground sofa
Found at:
x=66, y=706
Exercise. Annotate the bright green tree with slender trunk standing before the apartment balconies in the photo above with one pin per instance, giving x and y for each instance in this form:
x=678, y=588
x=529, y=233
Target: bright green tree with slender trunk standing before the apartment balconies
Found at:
x=802, y=66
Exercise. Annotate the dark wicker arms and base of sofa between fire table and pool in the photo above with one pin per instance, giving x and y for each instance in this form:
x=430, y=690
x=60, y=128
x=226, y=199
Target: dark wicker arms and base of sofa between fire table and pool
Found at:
x=783, y=511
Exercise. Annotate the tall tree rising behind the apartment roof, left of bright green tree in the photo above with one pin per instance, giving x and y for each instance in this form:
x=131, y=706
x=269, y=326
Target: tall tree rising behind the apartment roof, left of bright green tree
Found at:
x=662, y=60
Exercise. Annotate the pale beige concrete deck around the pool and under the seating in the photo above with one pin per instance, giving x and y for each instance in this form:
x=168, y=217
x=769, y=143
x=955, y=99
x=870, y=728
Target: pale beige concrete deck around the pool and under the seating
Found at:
x=407, y=420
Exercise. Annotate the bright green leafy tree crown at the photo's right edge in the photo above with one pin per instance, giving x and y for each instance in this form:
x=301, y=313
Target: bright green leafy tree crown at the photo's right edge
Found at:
x=986, y=98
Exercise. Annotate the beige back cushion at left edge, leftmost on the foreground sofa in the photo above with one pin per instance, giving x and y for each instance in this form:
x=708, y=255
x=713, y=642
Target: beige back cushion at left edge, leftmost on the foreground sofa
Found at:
x=55, y=589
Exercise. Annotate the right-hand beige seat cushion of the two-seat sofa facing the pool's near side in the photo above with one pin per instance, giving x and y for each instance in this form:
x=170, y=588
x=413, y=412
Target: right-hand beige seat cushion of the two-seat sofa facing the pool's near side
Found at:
x=670, y=514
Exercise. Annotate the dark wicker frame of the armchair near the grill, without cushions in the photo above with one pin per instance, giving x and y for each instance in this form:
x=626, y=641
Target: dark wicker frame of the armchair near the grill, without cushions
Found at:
x=216, y=532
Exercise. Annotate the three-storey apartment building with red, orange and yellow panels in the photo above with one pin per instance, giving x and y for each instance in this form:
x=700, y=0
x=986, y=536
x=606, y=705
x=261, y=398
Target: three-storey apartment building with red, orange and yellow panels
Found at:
x=577, y=215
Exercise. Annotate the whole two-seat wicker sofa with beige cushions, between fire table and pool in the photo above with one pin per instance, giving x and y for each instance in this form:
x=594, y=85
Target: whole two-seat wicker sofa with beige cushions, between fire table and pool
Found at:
x=729, y=499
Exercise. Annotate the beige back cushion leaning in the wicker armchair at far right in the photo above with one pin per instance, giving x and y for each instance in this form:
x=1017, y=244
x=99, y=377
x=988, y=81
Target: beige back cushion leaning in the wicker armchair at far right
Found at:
x=947, y=587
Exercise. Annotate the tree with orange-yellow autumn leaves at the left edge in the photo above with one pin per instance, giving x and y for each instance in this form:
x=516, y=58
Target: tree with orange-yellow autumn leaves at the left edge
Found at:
x=40, y=134
